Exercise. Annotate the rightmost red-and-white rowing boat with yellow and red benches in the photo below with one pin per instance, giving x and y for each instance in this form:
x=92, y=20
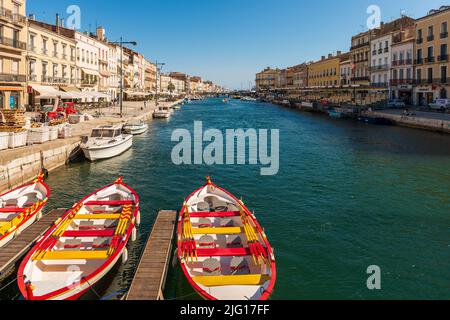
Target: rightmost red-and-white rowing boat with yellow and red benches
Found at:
x=223, y=250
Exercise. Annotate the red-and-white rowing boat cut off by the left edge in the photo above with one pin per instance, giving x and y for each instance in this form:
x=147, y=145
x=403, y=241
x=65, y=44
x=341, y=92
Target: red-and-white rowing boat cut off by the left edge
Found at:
x=21, y=207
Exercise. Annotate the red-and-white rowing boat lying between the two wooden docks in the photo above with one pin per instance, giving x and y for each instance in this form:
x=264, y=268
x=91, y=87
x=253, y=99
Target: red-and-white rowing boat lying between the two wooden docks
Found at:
x=82, y=246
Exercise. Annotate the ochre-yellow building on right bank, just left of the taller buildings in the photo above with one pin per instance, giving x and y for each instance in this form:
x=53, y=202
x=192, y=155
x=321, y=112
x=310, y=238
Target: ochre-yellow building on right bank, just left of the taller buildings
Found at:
x=325, y=72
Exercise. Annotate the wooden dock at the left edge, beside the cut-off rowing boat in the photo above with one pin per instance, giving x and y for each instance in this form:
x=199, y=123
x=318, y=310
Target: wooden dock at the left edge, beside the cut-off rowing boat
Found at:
x=18, y=247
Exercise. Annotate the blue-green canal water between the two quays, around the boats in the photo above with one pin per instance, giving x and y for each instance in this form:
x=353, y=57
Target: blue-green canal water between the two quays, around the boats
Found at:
x=347, y=196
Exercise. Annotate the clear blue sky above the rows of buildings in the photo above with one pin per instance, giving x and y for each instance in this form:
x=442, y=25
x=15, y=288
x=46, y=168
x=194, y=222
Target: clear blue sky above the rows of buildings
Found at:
x=228, y=41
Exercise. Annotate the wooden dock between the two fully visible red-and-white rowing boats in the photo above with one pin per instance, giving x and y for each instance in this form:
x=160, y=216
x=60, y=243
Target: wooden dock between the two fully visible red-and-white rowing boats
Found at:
x=150, y=277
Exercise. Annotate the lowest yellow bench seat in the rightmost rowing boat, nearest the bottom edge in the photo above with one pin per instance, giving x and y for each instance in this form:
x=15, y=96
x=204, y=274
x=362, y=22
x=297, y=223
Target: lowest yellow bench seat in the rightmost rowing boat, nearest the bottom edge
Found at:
x=239, y=280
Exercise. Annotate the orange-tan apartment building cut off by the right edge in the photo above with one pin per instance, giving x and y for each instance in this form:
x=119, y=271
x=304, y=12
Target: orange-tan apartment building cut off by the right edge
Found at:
x=432, y=60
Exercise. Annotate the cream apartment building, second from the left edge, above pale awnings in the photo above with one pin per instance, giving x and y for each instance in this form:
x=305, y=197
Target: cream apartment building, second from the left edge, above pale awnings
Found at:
x=51, y=60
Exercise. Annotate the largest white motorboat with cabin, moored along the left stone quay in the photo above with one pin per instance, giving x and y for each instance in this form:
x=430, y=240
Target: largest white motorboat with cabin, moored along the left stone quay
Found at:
x=106, y=142
